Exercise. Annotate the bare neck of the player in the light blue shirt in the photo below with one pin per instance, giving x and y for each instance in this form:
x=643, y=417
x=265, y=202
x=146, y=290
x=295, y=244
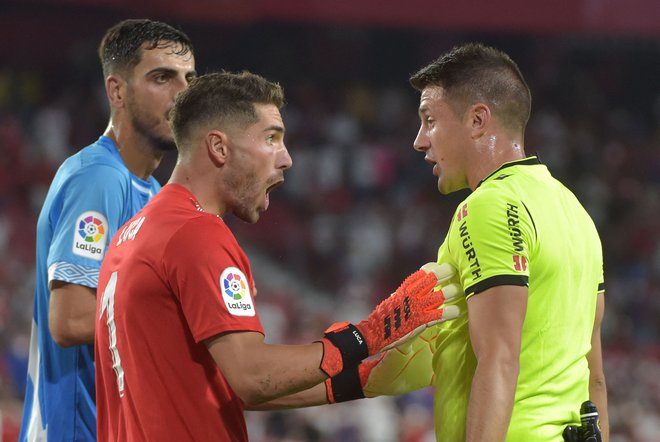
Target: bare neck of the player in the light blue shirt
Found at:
x=136, y=152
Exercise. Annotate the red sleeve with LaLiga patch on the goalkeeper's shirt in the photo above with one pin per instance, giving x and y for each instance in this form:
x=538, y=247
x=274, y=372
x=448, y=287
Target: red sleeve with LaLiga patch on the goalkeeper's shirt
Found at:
x=211, y=277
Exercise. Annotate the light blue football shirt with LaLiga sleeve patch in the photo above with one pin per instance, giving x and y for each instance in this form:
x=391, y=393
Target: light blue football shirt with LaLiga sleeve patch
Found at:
x=91, y=196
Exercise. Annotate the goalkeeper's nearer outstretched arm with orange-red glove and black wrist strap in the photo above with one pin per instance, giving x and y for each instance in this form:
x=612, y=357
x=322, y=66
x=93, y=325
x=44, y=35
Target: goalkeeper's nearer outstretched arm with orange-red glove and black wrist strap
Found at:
x=259, y=372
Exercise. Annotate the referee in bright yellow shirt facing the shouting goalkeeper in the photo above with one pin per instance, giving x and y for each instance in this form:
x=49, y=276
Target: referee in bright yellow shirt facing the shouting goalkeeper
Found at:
x=528, y=257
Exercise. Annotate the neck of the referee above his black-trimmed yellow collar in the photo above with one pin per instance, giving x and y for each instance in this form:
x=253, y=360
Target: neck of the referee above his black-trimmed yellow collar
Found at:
x=490, y=153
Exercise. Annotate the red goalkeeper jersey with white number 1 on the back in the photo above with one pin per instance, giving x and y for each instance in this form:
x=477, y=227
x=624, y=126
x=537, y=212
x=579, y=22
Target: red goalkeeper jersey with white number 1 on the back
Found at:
x=173, y=277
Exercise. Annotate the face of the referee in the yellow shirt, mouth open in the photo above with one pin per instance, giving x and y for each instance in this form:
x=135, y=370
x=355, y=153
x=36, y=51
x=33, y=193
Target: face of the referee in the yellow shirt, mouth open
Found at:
x=444, y=137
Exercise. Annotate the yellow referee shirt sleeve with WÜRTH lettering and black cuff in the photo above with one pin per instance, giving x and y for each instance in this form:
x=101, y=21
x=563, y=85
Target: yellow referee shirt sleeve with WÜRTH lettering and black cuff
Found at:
x=490, y=238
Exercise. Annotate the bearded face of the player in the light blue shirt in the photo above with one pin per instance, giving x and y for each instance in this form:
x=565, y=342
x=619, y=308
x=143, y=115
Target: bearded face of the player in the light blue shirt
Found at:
x=156, y=80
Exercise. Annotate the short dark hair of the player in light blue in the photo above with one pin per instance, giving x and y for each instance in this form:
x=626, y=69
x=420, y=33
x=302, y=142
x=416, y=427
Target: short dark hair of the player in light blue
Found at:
x=119, y=50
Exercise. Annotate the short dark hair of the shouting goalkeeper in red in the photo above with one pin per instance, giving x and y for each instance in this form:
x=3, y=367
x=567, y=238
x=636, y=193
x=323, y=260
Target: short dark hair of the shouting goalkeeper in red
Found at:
x=221, y=98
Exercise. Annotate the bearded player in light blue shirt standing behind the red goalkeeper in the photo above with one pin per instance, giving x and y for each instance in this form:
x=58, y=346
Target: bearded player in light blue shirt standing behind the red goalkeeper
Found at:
x=145, y=65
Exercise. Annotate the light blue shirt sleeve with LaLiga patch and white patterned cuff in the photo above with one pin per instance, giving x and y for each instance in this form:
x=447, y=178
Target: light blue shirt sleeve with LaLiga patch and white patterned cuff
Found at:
x=85, y=216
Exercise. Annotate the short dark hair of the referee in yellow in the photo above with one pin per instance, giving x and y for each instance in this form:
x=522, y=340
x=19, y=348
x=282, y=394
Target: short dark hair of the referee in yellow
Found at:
x=473, y=73
